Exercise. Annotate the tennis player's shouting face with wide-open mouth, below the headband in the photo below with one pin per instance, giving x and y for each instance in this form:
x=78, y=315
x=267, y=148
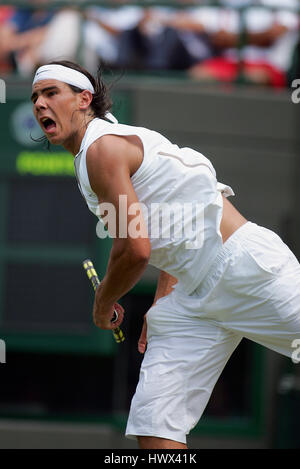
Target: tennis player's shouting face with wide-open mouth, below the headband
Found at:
x=54, y=107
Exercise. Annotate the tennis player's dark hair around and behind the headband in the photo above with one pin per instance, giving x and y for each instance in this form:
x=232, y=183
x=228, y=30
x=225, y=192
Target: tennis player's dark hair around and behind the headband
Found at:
x=101, y=103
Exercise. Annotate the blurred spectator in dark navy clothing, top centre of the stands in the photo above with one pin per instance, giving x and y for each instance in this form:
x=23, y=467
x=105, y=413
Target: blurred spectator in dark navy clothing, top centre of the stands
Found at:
x=164, y=39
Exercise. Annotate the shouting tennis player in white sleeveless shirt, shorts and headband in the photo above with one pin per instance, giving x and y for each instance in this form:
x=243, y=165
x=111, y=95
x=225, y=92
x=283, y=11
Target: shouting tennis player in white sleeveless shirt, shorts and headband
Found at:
x=227, y=279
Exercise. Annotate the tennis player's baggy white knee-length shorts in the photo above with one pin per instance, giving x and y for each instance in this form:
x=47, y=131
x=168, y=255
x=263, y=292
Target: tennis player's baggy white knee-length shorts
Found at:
x=252, y=290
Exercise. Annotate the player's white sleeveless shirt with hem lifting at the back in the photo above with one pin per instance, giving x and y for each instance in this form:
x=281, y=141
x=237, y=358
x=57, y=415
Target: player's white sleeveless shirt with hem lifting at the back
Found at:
x=180, y=197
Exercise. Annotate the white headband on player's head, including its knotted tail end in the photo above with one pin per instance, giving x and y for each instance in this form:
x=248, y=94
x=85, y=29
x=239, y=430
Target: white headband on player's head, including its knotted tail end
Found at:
x=69, y=76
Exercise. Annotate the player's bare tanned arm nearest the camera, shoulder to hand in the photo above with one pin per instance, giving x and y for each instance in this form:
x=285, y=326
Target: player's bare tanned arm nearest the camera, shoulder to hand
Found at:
x=109, y=162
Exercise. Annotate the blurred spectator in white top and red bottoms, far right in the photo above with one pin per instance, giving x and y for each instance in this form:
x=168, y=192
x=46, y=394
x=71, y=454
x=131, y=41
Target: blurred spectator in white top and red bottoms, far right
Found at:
x=266, y=55
